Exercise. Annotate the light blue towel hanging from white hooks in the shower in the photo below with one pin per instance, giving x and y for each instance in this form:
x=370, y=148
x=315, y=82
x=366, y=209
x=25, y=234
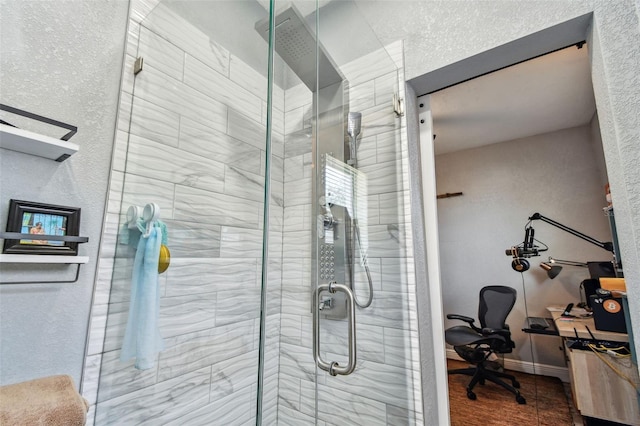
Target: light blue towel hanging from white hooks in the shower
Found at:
x=142, y=339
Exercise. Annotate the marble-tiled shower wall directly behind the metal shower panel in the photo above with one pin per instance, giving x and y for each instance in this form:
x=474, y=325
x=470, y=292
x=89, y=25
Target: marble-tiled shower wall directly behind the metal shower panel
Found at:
x=385, y=387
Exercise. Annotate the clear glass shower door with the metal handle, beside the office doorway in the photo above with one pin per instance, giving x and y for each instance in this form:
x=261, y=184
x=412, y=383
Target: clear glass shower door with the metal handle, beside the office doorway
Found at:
x=349, y=339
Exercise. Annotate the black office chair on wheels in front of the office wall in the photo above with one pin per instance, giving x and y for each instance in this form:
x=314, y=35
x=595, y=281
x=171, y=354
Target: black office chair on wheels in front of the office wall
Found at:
x=475, y=344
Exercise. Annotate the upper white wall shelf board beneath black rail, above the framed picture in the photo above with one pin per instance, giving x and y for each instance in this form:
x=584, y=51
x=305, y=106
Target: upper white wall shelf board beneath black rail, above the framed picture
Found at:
x=32, y=143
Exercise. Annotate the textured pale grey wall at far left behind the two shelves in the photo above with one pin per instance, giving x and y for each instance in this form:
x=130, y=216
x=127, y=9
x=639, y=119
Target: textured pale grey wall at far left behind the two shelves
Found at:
x=62, y=60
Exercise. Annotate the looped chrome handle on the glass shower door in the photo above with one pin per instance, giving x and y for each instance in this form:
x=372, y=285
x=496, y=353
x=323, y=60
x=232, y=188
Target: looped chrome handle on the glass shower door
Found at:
x=333, y=367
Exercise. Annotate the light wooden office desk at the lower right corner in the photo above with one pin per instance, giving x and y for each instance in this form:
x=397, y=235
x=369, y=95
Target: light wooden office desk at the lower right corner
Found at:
x=597, y=390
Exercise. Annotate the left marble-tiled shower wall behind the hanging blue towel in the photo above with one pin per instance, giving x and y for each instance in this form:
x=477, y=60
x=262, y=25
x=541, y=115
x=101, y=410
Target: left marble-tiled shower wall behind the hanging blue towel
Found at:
x=191, y=138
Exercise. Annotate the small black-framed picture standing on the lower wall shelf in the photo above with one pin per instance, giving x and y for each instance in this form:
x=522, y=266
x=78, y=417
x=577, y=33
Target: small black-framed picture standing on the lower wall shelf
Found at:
x=36, y=221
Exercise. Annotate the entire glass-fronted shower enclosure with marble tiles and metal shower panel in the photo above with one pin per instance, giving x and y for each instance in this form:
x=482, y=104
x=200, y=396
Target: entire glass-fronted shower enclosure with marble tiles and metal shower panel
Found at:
x=290, y=296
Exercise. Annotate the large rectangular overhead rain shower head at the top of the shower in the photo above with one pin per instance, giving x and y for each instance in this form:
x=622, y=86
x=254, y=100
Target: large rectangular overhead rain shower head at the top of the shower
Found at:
x=295, y=42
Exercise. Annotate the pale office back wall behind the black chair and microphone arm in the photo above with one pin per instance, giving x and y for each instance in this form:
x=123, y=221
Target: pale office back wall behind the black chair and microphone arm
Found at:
x=555, y=174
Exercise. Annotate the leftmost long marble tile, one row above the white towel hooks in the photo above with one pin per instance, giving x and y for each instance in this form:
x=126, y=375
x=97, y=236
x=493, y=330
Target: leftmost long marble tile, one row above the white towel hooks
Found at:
x=157, y=161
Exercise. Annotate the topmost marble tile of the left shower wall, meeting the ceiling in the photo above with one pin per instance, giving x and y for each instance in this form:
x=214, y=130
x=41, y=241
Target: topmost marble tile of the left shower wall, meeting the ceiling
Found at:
x=188, y=38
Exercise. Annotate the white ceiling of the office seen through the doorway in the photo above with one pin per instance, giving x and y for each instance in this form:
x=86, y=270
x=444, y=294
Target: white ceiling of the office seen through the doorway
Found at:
x=545, y=94
